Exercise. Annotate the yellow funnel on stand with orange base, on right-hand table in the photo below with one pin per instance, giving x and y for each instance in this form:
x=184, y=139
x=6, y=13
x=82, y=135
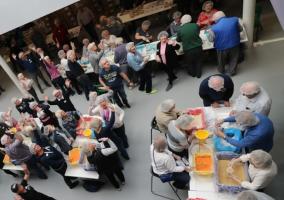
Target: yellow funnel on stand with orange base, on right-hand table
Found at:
x=203, y=155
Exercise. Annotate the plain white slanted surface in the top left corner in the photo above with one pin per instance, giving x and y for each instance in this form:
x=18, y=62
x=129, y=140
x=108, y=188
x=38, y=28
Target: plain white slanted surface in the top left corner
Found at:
x=15, y=13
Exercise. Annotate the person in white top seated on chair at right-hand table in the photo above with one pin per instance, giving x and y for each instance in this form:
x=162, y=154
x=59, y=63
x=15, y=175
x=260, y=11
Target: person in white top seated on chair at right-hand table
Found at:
x=164, y=164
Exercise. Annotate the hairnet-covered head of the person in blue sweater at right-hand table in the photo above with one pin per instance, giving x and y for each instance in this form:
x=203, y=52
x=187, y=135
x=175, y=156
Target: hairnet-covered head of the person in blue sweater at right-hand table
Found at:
x=246, y=118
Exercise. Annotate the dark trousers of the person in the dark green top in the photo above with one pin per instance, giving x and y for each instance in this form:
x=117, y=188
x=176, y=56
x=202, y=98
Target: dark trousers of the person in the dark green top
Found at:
x=193, y=59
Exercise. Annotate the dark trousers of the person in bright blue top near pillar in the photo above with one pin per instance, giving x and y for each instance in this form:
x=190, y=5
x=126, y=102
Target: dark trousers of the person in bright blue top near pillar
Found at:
x=230, y=56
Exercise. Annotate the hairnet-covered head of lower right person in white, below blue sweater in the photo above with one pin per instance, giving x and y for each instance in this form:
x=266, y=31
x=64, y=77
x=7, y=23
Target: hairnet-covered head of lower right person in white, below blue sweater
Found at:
x=260, y=159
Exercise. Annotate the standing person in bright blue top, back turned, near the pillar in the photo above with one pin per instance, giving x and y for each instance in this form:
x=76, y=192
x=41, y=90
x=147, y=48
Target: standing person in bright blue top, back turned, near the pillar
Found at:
x=226, y=36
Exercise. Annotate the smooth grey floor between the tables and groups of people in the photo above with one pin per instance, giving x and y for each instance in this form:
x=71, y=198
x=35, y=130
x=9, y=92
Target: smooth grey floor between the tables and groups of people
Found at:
x=263, y=64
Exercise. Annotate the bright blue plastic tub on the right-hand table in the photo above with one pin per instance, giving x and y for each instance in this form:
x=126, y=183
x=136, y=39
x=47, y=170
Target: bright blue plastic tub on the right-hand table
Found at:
x=222, y=145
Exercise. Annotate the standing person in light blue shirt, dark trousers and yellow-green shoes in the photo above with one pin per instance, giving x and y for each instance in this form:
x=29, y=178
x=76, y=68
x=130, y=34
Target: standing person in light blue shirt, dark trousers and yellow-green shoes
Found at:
x=139, y=64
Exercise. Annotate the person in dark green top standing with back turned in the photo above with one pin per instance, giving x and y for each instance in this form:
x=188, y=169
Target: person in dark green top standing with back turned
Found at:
x=188, y=35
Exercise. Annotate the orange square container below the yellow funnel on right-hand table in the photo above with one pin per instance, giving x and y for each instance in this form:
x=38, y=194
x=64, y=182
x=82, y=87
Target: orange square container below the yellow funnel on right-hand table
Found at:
x=203, y=163
